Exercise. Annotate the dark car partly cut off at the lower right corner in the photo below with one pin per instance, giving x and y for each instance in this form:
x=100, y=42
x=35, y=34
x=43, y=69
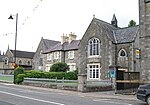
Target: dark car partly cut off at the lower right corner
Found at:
x=143, y=93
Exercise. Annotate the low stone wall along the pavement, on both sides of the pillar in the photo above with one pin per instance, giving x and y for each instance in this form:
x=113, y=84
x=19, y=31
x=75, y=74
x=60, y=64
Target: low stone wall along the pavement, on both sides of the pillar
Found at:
x=67, y=84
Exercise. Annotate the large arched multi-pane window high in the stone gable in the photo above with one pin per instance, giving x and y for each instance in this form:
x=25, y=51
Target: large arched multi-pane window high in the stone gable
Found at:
x=94, y=47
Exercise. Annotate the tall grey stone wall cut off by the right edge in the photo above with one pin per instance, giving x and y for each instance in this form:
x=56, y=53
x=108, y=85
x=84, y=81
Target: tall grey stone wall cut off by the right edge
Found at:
x=144, y=39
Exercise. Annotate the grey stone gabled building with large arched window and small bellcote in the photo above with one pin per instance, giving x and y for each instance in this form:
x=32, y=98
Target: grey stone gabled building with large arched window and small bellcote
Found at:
x=103, y=45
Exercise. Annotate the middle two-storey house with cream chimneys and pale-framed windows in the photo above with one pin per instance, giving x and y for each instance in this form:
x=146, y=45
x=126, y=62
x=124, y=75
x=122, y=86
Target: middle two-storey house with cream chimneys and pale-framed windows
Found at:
x=64, y=51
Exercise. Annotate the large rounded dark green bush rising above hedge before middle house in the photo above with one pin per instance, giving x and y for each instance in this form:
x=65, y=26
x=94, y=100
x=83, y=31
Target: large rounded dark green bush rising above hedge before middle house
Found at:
x=59, y=67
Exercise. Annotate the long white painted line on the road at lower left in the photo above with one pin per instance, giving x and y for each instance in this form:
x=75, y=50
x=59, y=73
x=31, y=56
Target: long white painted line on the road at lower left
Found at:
x=50, y=102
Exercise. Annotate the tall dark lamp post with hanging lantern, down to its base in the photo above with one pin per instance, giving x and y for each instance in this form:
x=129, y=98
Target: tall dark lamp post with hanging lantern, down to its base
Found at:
x=15, y=65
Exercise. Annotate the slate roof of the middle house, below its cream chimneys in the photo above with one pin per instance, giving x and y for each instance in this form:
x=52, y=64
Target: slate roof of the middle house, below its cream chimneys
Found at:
x=64, y=47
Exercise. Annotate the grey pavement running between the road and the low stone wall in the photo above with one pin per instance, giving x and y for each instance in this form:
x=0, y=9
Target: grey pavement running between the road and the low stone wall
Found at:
x=101, y=95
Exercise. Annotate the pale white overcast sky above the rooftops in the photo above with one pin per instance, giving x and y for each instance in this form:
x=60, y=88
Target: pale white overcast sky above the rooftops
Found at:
x=51, y=18
